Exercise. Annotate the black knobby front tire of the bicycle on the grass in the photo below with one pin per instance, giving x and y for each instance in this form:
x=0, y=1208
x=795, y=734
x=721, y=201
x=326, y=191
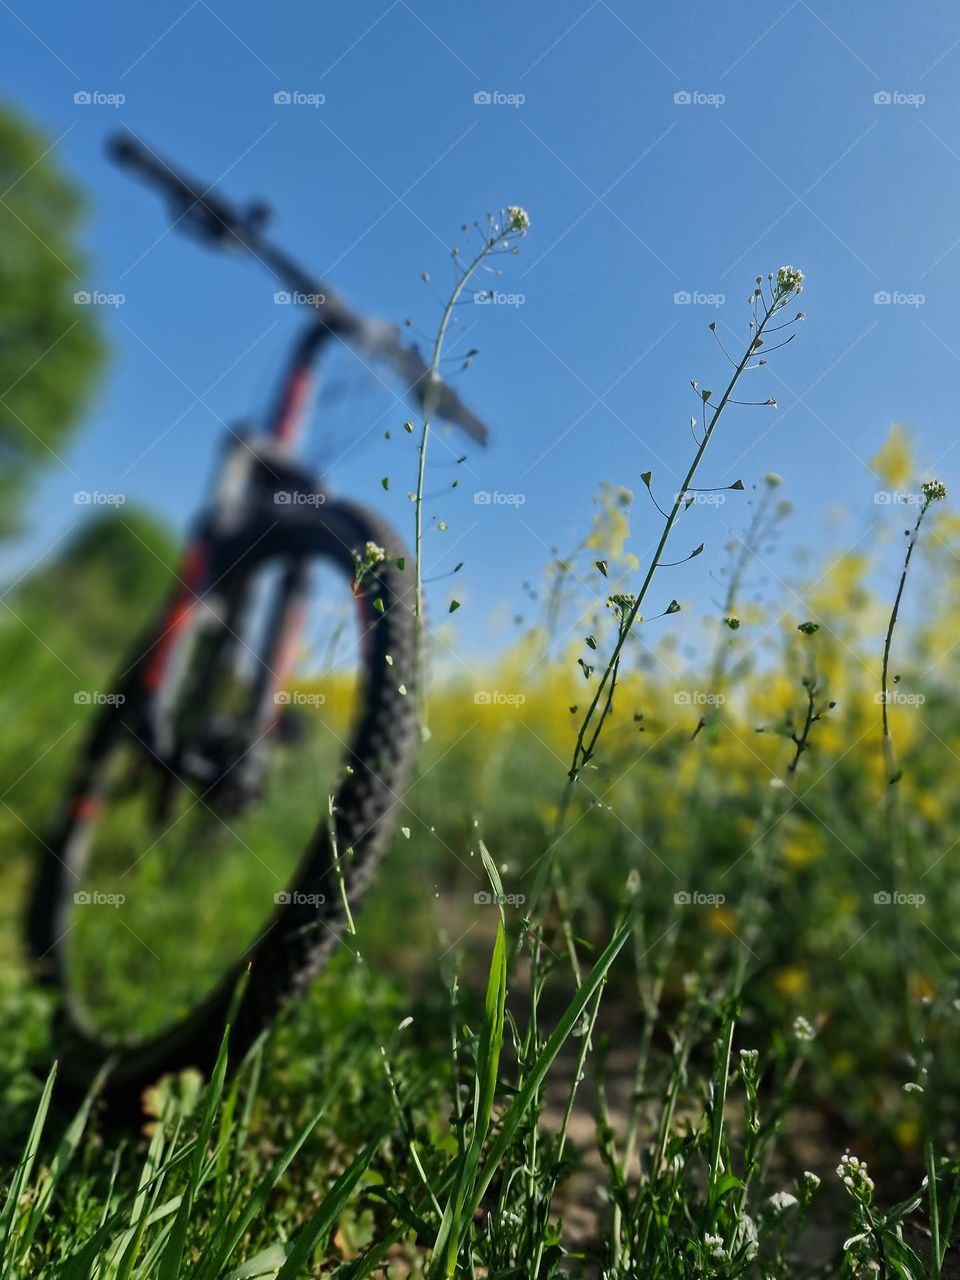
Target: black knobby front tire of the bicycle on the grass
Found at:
x=300, y=938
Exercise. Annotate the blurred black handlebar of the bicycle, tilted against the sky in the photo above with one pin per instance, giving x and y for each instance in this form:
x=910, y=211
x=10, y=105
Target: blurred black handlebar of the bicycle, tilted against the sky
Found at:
x=217, y=221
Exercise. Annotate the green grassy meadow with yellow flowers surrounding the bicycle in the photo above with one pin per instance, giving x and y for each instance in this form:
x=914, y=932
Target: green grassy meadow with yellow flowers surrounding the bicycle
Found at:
x=679, y=999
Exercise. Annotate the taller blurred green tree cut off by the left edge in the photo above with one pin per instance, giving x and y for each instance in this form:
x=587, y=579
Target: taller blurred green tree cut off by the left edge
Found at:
x=51, y=349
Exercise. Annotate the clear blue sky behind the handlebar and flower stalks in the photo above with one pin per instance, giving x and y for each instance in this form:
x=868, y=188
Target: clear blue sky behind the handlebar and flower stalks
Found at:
x=633, y=196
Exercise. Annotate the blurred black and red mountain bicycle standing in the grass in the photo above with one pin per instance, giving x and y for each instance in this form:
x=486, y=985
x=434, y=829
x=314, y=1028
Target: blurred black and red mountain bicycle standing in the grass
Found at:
x=186, y=748
